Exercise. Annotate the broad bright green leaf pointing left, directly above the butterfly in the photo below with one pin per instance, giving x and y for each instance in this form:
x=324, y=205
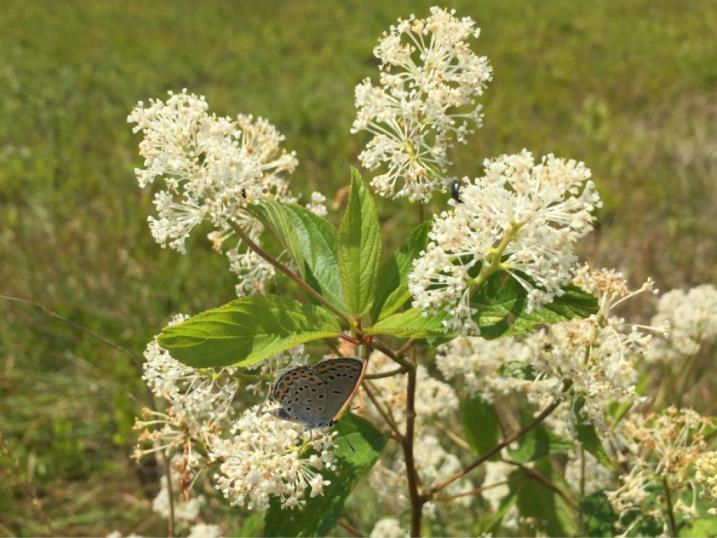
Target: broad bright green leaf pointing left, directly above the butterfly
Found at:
x=246, y=331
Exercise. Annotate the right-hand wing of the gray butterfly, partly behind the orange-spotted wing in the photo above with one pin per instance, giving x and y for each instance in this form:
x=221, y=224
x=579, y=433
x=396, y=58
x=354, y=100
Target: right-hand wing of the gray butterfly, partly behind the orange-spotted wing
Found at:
x=340, y=378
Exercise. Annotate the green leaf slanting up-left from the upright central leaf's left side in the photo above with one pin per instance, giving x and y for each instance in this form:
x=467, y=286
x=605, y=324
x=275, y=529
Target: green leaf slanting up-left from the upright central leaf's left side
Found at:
x=311, y=242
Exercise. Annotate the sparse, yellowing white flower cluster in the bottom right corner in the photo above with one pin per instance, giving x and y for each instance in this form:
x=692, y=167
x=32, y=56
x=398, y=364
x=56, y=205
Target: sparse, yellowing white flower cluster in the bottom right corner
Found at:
x=661, y=448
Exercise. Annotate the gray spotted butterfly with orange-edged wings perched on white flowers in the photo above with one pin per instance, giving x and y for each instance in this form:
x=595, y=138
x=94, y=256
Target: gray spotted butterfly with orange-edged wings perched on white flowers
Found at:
x=318, y=396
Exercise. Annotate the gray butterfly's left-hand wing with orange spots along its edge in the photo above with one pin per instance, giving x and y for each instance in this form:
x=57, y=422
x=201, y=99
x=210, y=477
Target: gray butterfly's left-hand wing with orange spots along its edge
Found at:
x=302, y=395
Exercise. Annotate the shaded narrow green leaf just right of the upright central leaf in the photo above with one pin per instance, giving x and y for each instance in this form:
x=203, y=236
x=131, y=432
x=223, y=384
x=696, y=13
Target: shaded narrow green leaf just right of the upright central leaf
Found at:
x=392, y=291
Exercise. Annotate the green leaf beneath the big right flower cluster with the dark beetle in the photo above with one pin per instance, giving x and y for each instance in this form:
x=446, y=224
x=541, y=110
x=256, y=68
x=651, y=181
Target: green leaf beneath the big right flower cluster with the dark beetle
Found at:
x=501, y=303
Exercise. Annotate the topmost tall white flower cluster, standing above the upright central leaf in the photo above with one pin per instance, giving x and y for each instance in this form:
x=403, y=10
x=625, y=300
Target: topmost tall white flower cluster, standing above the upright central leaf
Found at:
x=426, y=97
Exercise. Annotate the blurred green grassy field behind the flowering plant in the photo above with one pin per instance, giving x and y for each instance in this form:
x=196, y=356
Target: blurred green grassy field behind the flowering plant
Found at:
x=629, y=87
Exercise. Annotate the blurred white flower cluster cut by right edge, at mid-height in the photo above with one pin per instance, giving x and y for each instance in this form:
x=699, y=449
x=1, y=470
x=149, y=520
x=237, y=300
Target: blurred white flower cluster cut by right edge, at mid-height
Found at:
x=692, y=320
